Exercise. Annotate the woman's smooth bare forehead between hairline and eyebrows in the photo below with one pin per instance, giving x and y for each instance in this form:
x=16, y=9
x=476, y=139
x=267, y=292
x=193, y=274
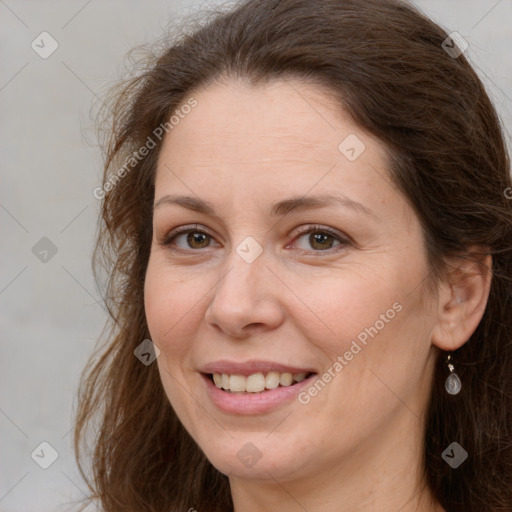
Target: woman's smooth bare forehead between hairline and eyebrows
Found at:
x=284, y=135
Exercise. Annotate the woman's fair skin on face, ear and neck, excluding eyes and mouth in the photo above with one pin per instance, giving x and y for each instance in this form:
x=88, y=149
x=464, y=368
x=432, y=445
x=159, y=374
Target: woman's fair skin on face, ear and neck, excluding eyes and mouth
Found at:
x=358, y=443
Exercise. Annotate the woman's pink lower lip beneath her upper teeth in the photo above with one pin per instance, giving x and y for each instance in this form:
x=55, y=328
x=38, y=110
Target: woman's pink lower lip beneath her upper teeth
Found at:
x=253, y=403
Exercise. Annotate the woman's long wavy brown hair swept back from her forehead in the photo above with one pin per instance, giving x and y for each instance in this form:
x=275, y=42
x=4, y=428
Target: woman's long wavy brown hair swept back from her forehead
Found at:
x=386, y=64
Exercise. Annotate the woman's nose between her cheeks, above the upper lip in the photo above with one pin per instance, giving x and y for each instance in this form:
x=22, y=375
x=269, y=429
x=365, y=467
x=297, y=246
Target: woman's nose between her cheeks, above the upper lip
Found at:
x=247, y=298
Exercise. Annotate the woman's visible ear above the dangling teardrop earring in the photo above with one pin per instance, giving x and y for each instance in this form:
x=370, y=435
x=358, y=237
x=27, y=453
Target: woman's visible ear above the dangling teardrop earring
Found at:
x=462, y=298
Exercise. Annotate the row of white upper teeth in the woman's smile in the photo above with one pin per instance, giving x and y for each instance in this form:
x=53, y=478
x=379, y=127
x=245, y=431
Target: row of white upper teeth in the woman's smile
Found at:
x=257, y=382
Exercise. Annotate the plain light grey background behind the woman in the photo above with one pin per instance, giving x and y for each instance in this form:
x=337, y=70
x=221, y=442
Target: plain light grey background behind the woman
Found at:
x=51, y=314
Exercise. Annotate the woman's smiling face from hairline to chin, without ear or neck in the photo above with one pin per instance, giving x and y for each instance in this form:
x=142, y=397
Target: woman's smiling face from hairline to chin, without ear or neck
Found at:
x=268, y=277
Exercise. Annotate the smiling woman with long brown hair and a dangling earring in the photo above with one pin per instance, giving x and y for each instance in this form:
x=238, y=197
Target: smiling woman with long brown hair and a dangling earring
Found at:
x=306, y=221
